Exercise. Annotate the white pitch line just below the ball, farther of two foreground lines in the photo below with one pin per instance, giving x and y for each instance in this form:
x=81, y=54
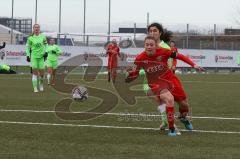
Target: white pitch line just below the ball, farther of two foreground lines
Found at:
x=113, y=114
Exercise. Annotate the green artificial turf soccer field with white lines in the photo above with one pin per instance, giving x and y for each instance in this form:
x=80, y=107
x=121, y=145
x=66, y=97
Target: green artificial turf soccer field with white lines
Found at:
x=30, y=127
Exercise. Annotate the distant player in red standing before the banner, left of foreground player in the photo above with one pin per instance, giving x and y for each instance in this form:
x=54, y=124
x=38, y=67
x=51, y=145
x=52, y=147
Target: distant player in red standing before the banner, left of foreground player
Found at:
x=113, y=53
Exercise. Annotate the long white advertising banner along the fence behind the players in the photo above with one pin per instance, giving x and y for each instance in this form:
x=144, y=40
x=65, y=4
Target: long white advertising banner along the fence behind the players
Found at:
x=15, y=55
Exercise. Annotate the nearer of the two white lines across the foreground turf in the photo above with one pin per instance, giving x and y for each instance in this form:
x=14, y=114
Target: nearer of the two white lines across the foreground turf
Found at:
x=112, y=127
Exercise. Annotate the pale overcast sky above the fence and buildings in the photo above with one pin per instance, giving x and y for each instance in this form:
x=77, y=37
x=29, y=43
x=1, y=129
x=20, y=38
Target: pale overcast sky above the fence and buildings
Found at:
x=124, y=13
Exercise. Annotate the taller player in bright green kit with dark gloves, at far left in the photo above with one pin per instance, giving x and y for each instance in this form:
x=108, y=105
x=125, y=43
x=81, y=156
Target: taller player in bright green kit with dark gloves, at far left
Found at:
x=36, y=46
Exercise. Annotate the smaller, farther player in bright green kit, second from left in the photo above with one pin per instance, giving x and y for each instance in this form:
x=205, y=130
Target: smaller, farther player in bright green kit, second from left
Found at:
x=53, y=52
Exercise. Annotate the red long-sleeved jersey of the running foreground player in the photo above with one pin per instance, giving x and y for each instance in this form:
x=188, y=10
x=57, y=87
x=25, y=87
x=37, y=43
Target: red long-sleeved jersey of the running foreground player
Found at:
x=156, y=67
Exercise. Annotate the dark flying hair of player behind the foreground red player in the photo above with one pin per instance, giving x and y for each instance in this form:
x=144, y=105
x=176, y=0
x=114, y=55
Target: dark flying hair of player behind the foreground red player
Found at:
x=165, y=34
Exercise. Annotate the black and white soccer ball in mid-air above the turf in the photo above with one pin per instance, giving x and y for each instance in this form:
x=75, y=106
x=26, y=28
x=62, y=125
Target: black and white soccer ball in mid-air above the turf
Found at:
x=80, y=94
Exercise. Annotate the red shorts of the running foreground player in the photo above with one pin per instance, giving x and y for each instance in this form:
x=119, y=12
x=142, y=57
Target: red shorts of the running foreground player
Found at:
x=177, y=90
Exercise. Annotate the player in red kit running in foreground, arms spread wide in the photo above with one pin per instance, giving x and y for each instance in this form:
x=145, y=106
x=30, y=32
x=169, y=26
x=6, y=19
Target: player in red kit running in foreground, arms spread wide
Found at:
x=161, y=80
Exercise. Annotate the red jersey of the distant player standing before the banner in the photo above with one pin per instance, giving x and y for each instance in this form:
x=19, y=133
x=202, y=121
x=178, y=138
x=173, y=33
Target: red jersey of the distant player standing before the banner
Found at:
x=113, y=52
